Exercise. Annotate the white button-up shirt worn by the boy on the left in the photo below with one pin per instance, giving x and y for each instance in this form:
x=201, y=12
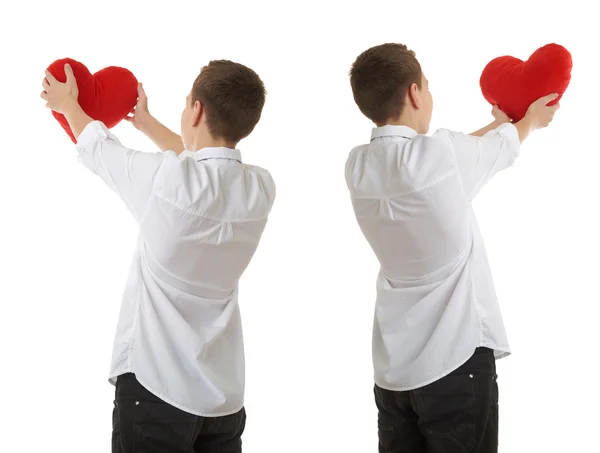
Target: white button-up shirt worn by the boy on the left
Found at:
x=201, y=217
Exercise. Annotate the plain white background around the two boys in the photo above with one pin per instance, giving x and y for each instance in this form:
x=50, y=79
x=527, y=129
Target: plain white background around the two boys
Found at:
x=307, y=298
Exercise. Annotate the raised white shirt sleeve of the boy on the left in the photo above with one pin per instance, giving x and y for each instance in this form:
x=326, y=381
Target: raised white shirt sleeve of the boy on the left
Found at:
x=128, y=172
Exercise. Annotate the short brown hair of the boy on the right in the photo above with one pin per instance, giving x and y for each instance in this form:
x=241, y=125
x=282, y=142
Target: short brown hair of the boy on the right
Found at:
x=380, y=78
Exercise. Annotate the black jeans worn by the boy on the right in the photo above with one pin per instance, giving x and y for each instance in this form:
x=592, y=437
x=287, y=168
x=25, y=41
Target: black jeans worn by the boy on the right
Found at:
x=456, y=414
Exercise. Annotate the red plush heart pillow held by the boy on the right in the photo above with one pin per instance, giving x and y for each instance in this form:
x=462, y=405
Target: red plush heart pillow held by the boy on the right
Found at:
x=513, y=84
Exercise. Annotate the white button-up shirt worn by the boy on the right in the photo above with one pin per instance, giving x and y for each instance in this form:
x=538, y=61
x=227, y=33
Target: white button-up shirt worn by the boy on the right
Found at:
x=412, y=199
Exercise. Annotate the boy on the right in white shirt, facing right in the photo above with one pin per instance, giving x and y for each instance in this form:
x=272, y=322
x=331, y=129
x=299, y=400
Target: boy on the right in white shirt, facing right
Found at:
x=438, y=328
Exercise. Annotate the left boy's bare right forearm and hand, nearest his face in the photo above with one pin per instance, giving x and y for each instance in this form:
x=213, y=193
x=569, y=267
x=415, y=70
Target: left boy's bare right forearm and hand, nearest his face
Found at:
x=161, y=135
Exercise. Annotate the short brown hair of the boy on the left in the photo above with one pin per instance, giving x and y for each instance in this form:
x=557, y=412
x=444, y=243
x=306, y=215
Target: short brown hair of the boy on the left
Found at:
x=233, y=96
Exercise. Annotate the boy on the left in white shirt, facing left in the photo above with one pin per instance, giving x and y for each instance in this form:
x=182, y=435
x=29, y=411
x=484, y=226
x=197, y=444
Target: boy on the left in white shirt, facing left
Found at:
x=178, y=360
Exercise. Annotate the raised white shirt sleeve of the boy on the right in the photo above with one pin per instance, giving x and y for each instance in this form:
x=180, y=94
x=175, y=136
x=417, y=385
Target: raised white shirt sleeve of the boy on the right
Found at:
x=480, y=158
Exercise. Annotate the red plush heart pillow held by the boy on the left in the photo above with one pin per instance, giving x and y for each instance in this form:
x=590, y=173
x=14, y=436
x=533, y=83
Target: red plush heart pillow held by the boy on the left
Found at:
x=108, y=95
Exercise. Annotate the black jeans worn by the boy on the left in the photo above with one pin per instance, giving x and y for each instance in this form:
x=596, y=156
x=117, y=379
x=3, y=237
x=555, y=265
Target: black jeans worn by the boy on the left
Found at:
x=143, y=423
